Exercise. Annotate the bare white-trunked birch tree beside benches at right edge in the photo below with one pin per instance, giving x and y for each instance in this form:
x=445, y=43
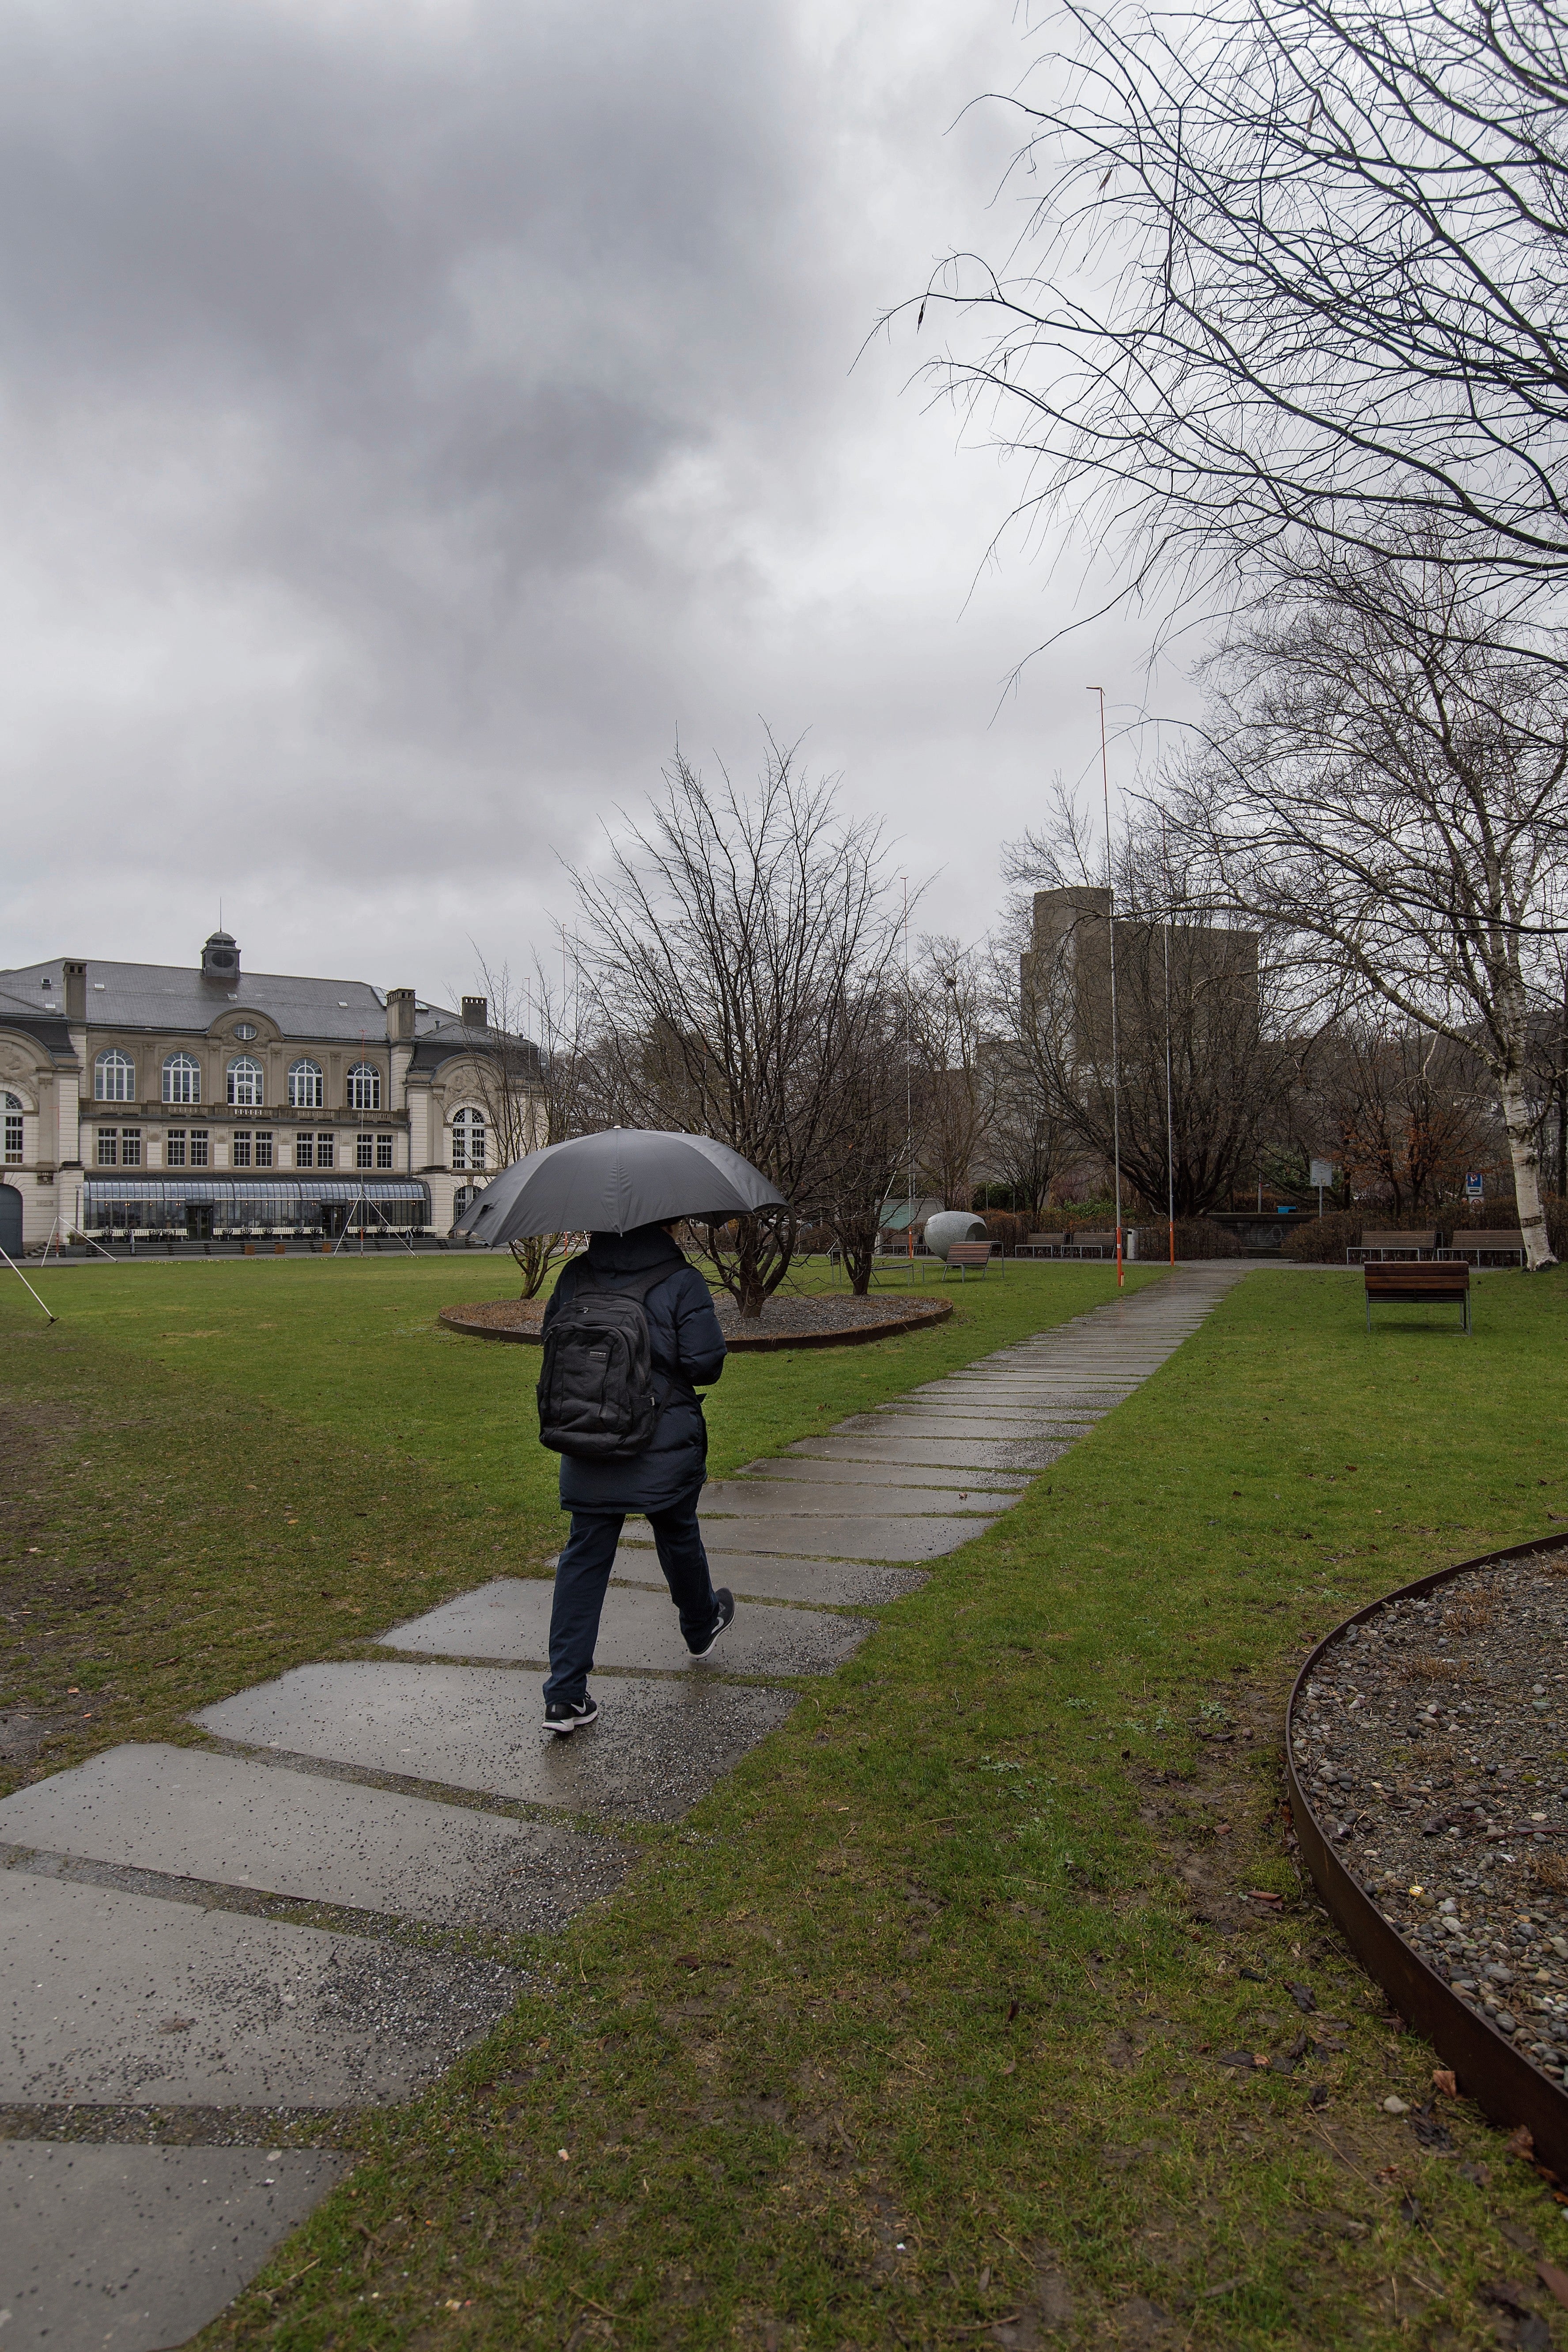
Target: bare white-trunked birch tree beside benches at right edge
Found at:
x=1386, y=789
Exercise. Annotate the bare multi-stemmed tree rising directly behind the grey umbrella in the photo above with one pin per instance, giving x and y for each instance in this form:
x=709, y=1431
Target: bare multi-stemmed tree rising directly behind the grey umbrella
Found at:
x=737, y=951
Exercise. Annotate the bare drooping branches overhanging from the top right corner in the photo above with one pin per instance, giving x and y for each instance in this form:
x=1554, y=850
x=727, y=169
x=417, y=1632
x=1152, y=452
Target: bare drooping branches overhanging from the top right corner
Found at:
x=1292, y=267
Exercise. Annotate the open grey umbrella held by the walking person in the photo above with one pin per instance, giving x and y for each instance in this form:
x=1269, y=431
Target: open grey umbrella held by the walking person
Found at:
x=615, y=1182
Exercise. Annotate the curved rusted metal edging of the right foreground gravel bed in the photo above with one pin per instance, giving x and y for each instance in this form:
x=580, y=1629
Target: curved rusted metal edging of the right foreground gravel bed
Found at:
x=1503, y=2083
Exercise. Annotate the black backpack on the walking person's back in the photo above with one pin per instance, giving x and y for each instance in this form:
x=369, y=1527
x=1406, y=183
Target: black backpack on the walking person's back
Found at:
x=596, y=1389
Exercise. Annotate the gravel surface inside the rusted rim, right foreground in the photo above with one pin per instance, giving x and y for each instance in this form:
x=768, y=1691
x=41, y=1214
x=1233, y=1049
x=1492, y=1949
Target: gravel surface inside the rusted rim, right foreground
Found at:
x=1433, y=1746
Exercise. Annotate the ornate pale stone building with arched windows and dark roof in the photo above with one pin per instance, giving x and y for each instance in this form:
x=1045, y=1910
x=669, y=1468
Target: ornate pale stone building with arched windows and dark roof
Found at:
x=159, y=1100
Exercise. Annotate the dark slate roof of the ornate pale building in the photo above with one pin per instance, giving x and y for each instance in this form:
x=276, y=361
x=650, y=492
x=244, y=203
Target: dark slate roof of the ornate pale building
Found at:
x=177, y=998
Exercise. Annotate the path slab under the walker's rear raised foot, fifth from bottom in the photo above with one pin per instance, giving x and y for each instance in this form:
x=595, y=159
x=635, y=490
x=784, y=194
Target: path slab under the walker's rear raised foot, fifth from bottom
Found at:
x=511, y=1619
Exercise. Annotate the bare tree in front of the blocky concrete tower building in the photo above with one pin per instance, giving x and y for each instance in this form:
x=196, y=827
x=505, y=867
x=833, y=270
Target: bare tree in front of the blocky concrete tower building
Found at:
x=1193, y=1062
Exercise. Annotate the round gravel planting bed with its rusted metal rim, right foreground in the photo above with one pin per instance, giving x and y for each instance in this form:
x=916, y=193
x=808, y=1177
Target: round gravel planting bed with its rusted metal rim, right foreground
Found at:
x=1428, y=1765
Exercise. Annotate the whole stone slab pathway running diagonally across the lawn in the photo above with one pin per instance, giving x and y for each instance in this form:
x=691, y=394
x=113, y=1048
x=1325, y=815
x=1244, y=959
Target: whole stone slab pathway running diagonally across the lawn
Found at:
x=152, y=1937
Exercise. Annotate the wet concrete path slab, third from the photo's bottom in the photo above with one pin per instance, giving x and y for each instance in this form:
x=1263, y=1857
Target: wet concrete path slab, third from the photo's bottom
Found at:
x=203, y=1817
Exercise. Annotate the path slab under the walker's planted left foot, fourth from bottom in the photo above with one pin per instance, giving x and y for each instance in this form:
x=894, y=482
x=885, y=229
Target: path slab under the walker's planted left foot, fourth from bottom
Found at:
x=657, y=1746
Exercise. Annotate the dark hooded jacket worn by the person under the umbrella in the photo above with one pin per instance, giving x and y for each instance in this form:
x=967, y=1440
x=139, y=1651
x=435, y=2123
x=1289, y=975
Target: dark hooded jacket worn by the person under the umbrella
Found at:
x=688, y=1349
